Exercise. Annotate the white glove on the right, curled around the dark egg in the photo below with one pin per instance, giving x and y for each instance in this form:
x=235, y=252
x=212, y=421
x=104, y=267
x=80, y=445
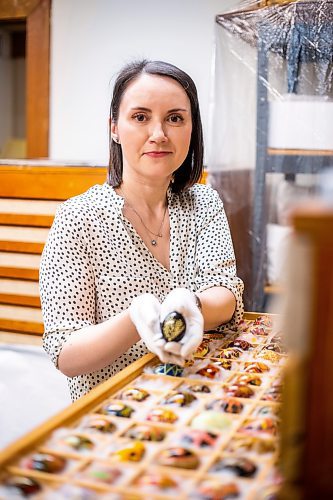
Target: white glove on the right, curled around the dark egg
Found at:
x=183, y=301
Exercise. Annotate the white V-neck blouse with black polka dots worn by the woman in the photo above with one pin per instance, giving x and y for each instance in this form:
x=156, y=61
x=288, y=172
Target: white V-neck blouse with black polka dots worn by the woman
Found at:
x=94, y=263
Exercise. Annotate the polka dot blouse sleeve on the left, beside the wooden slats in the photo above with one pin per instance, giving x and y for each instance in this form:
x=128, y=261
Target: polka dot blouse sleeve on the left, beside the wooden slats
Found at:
x=67, y=286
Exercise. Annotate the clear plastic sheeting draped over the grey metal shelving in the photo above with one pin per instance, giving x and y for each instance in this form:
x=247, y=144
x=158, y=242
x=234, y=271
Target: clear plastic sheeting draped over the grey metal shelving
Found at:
x=271, y=122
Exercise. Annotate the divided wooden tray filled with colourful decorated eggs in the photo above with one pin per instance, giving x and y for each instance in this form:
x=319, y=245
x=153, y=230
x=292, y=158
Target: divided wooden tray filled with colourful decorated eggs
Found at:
x=210, y=432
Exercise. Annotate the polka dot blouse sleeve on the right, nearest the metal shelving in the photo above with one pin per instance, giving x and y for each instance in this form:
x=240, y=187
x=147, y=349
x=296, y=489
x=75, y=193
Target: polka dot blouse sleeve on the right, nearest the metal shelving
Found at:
x=215, y=258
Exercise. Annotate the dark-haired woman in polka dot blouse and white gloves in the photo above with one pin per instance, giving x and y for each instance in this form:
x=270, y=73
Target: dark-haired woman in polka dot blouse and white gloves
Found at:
x=123, y=255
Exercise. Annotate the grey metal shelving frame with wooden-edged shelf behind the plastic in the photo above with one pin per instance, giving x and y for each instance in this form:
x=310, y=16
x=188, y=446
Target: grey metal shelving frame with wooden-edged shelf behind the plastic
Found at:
x=269, y=160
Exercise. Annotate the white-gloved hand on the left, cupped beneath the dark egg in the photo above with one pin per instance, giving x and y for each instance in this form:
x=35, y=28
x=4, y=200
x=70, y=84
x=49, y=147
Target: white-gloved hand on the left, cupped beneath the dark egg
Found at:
x=144, y=312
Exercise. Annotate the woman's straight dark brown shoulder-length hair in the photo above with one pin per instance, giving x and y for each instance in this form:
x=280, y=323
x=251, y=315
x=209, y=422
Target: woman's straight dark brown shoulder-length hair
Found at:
x=190, y=170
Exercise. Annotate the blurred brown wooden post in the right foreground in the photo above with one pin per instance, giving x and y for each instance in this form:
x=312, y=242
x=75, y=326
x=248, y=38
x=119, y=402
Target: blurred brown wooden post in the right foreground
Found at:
x=307, y=429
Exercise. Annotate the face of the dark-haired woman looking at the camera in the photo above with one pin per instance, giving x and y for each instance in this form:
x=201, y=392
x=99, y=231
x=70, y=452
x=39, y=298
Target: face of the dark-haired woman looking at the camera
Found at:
x=154, y=128
